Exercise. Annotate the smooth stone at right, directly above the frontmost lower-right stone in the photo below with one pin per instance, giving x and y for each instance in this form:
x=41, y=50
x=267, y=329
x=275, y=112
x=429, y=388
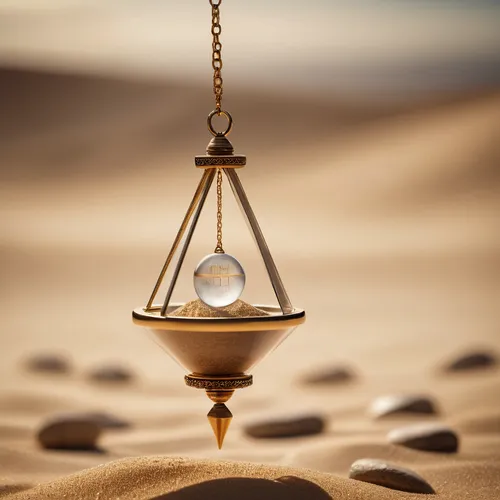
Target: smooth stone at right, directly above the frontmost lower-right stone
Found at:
x=426, y=437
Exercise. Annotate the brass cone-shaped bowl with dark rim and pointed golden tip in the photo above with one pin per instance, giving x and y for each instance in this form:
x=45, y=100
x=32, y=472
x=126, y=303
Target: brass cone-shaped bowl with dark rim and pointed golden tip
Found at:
x=219, y=372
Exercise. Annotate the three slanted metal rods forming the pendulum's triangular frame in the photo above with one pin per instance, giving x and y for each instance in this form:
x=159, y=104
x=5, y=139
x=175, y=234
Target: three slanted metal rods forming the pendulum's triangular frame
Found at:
x=193, y=214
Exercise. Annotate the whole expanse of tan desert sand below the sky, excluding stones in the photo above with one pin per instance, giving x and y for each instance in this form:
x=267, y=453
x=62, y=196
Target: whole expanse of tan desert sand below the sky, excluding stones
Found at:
x=384, y=225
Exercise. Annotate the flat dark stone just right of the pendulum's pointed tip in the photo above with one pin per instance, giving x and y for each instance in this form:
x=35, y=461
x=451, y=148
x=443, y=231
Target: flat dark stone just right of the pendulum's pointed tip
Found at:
x=301, y=425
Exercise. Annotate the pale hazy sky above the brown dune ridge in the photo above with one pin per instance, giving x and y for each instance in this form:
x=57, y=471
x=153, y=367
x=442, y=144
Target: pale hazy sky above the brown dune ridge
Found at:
x=343, y=43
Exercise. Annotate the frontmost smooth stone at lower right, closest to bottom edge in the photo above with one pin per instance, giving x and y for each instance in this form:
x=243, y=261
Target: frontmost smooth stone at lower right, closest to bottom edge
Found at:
x=392, y=476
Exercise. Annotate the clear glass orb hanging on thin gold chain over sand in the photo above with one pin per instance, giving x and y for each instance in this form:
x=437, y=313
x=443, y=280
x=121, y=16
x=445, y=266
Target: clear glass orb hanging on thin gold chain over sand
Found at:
x=219, y=279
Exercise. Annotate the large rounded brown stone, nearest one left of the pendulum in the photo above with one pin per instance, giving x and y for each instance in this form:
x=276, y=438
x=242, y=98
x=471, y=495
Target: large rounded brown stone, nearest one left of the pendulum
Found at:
x=69, y=432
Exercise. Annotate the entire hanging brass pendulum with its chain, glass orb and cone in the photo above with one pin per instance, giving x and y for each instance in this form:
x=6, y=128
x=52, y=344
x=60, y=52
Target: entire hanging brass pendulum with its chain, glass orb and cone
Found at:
x=218, y=337
